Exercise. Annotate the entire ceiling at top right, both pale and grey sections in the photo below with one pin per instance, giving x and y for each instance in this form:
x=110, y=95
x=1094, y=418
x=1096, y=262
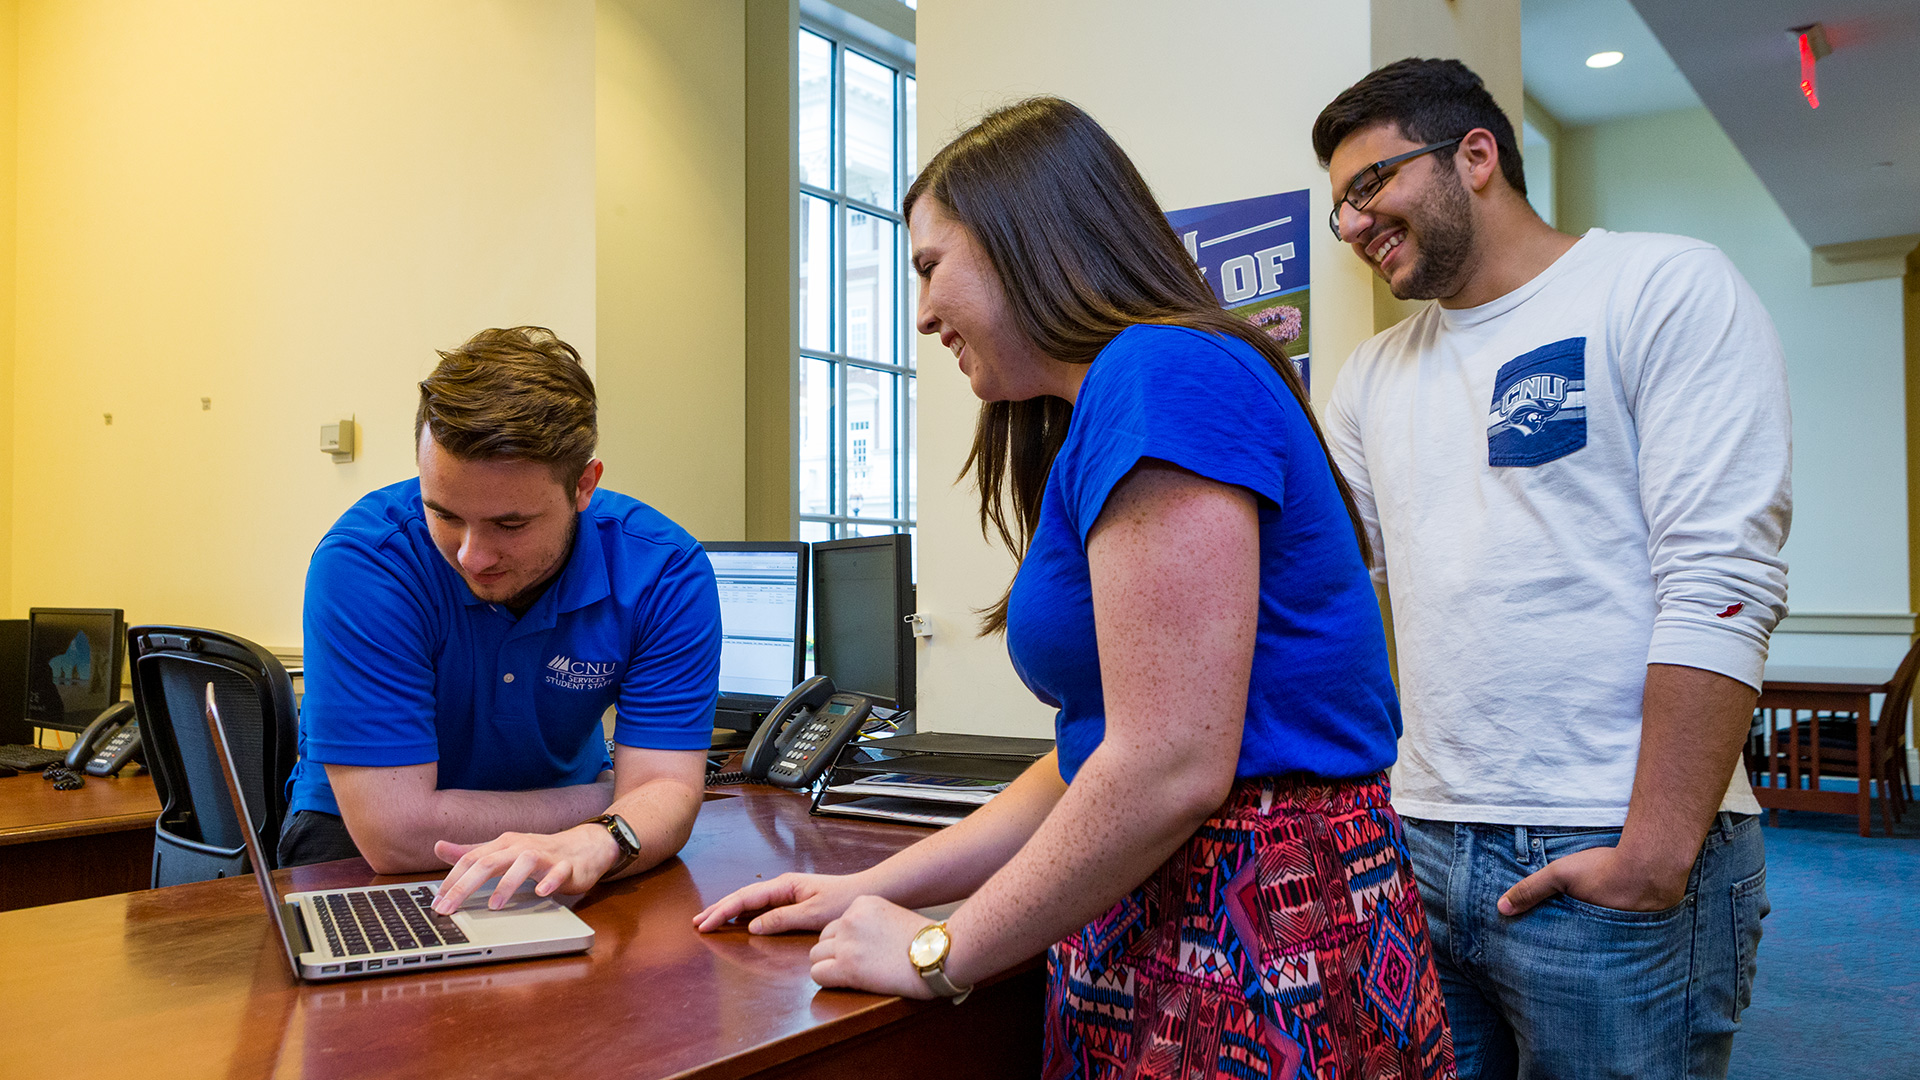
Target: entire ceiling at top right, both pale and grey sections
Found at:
x=1844, y=172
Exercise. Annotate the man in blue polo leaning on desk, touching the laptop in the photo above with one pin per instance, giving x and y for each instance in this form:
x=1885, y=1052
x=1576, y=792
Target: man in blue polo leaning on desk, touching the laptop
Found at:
x=468, y=631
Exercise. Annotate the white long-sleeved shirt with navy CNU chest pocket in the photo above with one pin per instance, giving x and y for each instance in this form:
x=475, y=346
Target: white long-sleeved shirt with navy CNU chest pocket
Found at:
x=1562, y=487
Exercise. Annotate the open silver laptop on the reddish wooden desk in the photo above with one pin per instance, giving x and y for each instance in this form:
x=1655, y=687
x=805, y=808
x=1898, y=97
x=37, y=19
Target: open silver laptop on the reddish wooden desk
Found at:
x=395, y=929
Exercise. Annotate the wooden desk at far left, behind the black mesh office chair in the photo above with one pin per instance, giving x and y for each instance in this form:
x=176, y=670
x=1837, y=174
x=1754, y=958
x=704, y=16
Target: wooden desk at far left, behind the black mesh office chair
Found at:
x=59, y=847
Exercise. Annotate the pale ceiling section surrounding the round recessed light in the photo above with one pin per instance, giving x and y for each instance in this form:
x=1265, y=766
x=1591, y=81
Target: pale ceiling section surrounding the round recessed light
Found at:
x=1558, y=37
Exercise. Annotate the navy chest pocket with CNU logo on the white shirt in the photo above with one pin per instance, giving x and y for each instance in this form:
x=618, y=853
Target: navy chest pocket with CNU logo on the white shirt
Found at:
x=1539, y=408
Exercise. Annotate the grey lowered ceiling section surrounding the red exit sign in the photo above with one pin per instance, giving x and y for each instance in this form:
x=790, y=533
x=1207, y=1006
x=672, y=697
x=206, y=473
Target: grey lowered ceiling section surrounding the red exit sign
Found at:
x=1844, y=172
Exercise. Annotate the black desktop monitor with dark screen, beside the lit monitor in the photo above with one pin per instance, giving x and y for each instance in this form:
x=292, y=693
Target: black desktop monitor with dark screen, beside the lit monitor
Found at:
x=863, y=595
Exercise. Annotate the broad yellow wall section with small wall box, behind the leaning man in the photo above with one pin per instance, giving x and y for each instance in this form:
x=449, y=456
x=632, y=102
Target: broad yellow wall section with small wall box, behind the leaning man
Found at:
x=283, y=210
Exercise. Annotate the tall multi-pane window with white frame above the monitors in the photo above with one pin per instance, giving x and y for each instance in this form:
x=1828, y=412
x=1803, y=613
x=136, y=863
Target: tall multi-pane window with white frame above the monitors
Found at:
x=855, y=297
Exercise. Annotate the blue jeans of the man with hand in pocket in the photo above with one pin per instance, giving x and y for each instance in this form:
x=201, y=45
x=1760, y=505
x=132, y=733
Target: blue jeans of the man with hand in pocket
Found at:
x=1572, y=991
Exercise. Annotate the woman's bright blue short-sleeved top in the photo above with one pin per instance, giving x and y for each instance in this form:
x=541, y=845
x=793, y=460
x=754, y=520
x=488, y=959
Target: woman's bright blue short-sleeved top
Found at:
x=1320, y=699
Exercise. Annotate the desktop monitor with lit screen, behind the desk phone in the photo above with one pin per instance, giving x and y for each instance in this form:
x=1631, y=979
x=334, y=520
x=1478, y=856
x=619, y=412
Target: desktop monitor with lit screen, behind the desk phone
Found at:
x=763, y=627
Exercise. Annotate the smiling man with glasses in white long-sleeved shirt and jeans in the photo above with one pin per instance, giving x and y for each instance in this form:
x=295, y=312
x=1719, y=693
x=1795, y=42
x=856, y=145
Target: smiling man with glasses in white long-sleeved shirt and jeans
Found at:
x=1577, y=476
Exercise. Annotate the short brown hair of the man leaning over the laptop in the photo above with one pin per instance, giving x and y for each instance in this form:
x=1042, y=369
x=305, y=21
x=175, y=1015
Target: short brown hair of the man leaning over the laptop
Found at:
x=519, y=395
